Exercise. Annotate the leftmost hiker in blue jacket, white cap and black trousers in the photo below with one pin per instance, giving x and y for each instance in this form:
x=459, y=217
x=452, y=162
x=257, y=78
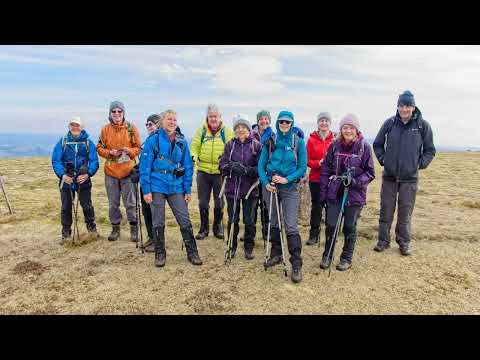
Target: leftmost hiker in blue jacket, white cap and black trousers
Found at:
x=75, y=161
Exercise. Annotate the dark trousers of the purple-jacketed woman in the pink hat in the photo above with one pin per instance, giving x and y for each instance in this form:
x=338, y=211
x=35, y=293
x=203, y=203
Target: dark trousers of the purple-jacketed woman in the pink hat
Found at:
x=349, y=228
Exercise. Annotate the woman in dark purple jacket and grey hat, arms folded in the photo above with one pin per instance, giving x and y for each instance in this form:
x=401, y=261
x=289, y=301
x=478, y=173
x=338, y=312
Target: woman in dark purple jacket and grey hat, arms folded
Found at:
x=239, y=165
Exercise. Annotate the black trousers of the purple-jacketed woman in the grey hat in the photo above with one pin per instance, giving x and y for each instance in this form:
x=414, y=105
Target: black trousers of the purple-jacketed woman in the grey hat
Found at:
x=248, y=212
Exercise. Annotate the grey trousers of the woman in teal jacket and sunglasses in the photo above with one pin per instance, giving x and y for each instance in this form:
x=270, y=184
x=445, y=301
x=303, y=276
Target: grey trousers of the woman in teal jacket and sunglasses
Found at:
x=288, y=199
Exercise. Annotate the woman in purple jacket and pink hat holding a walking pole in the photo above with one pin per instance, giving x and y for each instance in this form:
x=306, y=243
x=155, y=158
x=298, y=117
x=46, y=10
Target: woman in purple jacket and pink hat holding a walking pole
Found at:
x=349, y=151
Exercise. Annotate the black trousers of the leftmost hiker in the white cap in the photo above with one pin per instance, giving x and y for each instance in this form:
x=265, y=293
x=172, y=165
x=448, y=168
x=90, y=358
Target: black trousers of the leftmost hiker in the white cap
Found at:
x=85, y=197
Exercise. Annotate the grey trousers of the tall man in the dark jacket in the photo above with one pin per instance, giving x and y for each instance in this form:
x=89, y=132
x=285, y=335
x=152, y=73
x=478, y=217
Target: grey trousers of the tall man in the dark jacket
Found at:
x=388, y=201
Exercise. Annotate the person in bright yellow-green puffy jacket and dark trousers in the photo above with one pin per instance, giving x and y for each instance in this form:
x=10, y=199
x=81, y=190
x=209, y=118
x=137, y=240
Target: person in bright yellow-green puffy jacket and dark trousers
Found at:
x=206, y=149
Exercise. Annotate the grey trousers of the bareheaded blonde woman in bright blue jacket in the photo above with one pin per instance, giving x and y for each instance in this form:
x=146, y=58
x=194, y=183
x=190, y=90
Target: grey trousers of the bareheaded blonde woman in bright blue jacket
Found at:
x=178, y=205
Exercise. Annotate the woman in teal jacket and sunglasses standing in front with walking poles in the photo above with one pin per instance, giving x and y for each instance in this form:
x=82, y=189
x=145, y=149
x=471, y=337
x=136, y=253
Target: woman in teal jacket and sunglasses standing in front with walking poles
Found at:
x=282, y=164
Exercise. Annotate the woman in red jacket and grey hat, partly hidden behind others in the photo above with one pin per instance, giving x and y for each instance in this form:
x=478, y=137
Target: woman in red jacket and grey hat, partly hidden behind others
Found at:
x=317, y=147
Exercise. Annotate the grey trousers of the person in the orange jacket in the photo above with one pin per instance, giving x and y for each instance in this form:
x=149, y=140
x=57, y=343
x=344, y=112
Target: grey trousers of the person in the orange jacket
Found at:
x=126, y=189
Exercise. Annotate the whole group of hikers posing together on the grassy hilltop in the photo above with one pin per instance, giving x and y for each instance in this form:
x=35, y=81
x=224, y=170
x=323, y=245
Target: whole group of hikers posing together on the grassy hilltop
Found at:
x=257, y=169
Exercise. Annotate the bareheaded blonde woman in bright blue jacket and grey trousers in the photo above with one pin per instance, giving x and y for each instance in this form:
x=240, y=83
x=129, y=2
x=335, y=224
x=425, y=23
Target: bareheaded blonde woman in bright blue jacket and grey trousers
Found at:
x=166, y=172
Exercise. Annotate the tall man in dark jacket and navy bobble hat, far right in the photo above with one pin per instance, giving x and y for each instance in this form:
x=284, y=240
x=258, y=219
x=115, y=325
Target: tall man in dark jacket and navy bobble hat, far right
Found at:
x=403, y=145
